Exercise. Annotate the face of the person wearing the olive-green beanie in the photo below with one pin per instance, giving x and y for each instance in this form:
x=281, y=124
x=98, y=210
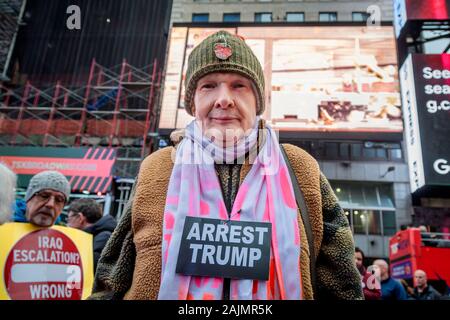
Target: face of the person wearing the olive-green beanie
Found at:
x=225, y=106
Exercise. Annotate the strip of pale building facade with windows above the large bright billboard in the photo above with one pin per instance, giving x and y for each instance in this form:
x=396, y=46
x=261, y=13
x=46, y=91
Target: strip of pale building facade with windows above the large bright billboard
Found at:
x=277, y=10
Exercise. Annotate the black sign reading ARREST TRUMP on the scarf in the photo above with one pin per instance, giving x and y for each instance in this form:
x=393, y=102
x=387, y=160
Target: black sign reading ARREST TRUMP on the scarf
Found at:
x=225, y=249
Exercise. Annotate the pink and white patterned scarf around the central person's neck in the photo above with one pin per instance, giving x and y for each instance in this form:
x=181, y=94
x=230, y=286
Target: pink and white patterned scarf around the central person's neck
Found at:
x=265, y=195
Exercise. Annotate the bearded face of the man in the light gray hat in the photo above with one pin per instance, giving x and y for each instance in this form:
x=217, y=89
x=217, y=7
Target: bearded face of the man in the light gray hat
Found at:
x=45, y=207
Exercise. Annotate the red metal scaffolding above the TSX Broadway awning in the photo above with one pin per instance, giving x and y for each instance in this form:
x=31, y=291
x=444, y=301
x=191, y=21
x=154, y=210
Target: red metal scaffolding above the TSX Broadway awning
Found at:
x=116, y=108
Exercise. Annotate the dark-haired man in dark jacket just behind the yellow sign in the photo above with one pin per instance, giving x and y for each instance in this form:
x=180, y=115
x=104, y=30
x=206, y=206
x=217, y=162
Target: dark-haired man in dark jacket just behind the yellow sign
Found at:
x=86, y=215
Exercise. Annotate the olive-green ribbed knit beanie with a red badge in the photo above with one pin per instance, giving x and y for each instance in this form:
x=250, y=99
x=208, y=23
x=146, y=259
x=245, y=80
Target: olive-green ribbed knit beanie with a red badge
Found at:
x=223, y=52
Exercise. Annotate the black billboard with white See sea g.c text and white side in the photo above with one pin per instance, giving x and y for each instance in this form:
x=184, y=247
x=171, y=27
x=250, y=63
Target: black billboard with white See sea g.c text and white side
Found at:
x=425, y=83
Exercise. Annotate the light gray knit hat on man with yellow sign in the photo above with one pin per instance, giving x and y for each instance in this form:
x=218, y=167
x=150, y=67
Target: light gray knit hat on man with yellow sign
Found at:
x=48, y=180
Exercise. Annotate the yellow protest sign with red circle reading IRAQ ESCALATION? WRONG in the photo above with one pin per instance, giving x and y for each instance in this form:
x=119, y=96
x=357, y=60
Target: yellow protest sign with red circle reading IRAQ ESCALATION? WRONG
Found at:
x=45, y=263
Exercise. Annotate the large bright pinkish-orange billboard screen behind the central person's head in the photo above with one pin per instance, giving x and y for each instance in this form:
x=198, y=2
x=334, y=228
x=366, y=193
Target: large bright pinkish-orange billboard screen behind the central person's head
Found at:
x=318, y=78
